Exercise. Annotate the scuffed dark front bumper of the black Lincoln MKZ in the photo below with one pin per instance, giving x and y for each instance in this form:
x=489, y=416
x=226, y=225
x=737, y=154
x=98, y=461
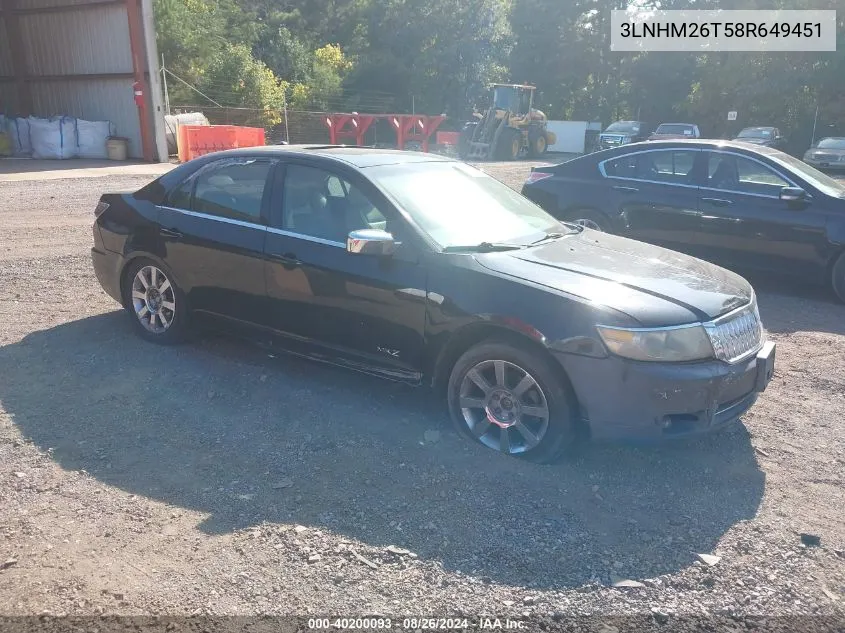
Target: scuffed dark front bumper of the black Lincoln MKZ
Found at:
x=623, y=399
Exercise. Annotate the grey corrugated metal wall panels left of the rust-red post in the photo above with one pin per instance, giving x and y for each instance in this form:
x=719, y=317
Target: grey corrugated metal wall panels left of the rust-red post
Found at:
x=85, y=41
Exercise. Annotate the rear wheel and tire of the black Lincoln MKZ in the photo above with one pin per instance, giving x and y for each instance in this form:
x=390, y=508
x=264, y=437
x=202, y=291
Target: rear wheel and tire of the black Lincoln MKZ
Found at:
x=156, y=306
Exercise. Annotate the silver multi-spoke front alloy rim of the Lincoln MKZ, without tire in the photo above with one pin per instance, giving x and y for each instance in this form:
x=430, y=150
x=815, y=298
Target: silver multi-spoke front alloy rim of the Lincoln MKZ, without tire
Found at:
x=504, y=407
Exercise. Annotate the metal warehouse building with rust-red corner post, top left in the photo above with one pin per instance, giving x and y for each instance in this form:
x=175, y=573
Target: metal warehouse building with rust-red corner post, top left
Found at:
x=84, y=59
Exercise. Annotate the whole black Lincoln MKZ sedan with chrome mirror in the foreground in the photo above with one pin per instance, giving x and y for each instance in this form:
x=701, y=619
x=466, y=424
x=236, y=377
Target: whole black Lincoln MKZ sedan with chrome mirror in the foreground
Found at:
x=426, y=270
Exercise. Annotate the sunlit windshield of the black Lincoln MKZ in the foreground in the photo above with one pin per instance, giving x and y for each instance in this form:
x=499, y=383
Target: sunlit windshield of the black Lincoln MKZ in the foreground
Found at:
x=459, y=205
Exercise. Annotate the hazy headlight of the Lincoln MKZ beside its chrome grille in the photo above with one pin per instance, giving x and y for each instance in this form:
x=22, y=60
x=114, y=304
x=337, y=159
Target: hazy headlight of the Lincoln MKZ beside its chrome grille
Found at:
x=674, y=344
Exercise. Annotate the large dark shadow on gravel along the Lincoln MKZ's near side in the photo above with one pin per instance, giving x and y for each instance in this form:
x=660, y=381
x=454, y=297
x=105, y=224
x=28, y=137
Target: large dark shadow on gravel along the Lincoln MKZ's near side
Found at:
x=220, y=428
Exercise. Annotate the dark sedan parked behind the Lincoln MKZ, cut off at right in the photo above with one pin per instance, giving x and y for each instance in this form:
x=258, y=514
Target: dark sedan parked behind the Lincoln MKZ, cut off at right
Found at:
x=741, y=206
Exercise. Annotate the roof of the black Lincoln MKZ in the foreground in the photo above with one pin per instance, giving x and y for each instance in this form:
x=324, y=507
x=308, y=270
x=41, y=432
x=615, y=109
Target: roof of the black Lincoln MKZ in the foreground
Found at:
x=355, y=156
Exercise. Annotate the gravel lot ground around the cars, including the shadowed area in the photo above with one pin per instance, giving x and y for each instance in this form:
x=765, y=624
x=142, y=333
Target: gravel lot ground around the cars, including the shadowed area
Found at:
x=212, y=479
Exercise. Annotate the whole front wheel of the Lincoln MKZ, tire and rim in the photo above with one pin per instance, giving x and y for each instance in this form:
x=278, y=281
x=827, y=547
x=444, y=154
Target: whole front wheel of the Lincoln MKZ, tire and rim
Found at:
x=512, y=401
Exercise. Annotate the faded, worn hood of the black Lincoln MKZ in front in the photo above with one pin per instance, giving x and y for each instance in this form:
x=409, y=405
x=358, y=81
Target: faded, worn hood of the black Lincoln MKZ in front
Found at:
x=653, y=285
